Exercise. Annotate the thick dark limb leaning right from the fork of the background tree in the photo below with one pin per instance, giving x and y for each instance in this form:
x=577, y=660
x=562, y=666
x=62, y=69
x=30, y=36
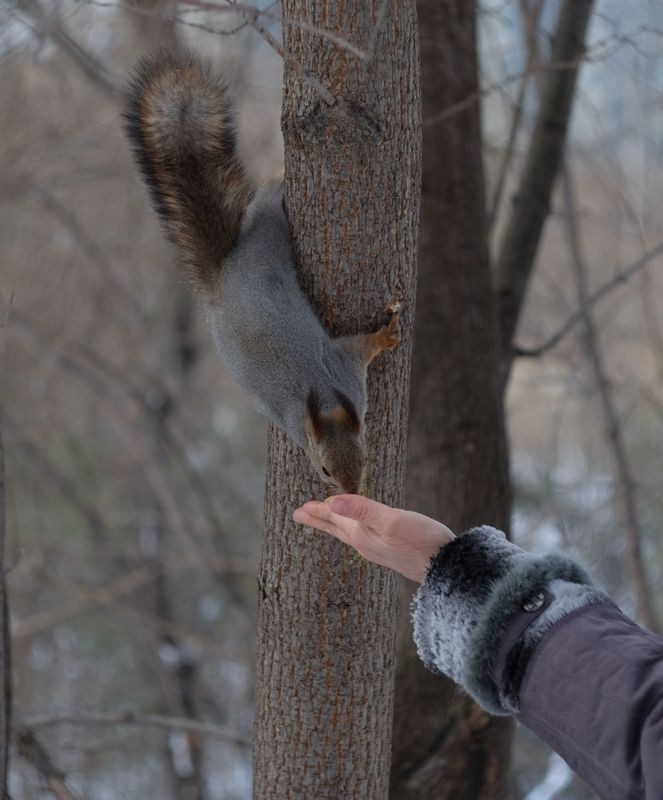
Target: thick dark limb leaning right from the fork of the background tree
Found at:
x=520, y=242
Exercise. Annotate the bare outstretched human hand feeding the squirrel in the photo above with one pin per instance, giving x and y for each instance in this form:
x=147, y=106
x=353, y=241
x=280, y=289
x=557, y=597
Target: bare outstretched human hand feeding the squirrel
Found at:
x=401, y=540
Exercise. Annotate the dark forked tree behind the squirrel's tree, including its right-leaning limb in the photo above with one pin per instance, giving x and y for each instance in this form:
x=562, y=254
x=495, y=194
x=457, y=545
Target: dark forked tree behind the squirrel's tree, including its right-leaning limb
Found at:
x=466, y=319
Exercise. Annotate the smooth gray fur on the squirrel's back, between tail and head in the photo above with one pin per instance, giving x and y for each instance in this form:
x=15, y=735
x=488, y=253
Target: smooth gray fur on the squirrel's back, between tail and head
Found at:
x=265, y=330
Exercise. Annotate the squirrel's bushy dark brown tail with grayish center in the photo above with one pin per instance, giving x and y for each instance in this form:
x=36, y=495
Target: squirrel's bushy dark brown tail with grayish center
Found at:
x=179, y=120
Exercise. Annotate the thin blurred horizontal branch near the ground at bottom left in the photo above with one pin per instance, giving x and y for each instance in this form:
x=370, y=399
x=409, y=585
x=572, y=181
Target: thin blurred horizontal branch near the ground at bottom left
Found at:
x=131, y=718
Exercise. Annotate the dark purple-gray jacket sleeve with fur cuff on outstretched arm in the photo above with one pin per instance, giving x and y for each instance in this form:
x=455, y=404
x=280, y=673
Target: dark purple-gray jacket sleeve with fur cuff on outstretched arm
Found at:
x=530, y=636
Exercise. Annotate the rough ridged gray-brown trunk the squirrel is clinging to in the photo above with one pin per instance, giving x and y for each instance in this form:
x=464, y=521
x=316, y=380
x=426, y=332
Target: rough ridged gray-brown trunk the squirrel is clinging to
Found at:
x=326, y=625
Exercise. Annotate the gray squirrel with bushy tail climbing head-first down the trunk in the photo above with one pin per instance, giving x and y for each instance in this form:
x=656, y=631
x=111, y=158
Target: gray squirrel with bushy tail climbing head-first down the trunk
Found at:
x=235, y=243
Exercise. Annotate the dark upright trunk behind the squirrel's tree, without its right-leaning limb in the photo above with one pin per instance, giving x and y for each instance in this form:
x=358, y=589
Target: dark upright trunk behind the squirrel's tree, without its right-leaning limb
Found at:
x=457, y=456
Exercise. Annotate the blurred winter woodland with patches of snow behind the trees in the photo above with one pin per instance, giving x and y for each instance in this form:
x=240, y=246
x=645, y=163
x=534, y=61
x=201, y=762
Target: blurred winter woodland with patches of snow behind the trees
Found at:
x=135, y=469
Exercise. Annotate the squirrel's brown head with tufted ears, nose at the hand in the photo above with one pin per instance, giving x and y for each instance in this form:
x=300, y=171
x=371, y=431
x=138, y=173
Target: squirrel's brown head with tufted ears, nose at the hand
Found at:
x=335, y=442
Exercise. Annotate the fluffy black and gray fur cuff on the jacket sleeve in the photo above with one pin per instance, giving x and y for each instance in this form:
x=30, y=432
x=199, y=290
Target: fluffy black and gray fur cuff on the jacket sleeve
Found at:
x=473, y=589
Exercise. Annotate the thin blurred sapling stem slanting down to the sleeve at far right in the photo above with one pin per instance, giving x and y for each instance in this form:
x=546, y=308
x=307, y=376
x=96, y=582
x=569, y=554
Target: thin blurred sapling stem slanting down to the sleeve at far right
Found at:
x=626, y=486
